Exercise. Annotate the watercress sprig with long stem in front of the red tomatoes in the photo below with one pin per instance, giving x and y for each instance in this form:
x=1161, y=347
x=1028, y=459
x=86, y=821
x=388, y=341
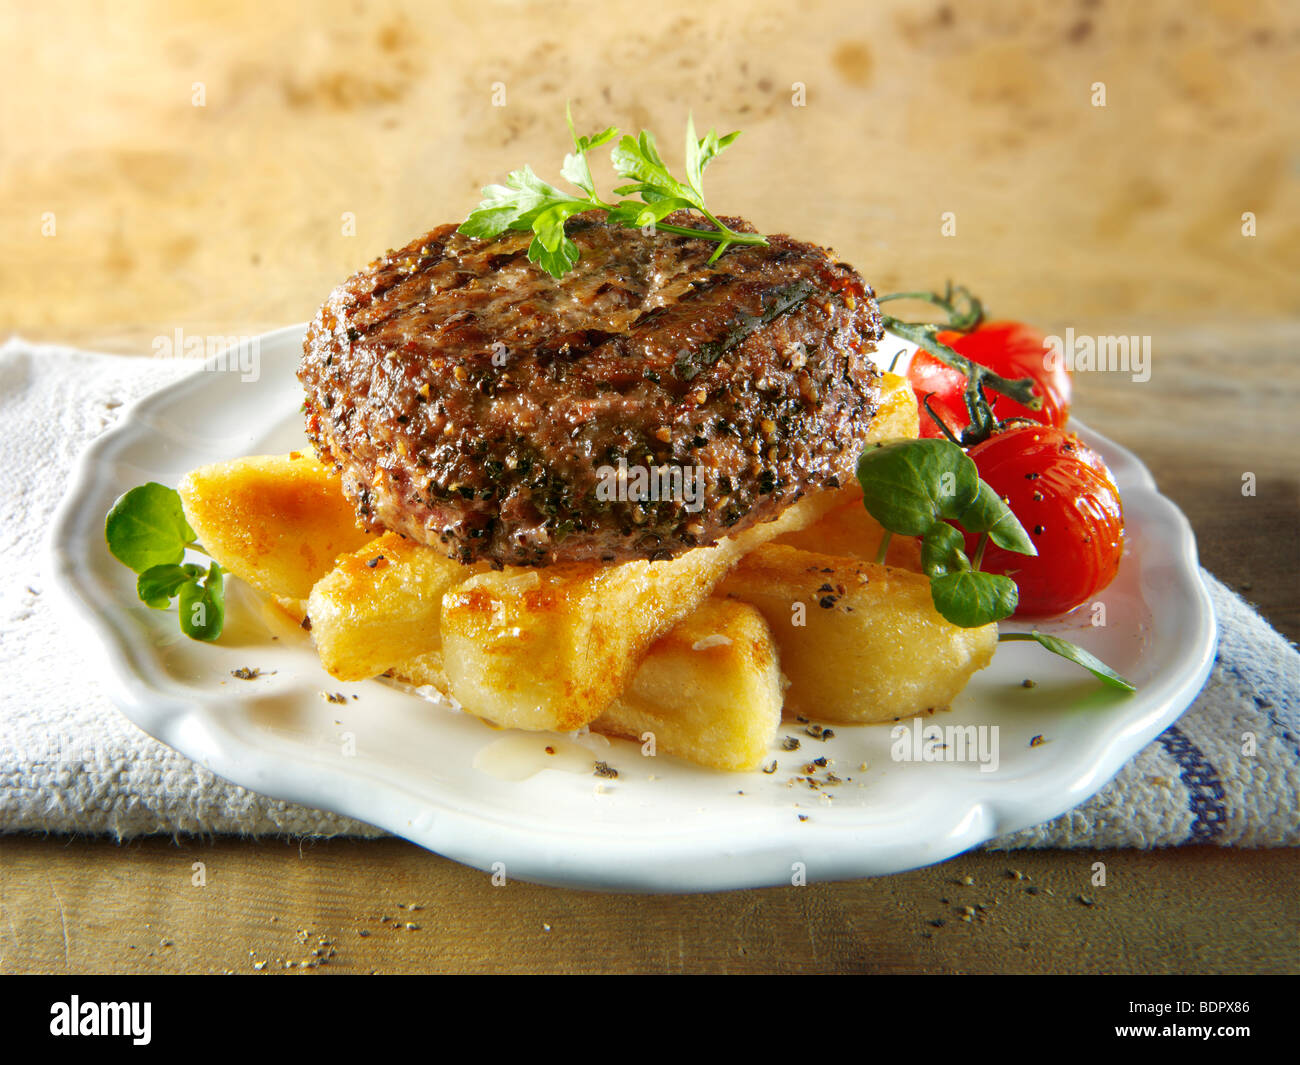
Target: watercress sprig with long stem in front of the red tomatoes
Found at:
x=929, y=488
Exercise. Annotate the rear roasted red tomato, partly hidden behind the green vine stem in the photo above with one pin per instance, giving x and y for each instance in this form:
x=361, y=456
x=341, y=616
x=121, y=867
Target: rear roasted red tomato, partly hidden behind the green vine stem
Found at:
x=1011, y=350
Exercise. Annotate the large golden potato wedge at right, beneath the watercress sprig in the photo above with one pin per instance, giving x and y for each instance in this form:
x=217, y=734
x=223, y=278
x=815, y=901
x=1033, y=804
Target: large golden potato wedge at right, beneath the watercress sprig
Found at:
x=859, y=643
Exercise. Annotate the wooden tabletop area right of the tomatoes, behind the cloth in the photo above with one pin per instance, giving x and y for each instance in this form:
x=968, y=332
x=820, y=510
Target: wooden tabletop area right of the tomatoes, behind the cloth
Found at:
x=1221, y=404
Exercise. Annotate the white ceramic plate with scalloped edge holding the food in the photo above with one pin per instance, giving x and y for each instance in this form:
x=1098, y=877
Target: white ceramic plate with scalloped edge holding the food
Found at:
x=400, y=763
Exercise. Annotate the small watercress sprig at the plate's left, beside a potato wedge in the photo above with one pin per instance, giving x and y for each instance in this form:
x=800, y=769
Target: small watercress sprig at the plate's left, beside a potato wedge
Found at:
x=146, y=531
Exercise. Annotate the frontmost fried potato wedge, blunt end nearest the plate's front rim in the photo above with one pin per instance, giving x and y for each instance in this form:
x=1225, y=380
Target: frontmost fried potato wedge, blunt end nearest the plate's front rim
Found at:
x=709, y=691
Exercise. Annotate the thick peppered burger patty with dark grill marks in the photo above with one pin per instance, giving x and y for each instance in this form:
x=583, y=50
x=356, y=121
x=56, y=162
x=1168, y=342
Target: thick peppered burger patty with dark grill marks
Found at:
x=640, y=406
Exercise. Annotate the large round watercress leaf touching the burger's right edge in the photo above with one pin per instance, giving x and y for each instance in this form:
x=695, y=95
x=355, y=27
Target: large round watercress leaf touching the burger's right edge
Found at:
x=909, y=486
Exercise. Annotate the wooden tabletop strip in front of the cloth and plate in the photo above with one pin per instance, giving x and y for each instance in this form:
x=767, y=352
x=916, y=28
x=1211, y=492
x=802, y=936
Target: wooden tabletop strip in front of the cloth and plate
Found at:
x=97, y=907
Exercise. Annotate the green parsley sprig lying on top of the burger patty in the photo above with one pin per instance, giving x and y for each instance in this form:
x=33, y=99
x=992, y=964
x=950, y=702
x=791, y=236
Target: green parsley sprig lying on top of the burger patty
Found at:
x=526, y=202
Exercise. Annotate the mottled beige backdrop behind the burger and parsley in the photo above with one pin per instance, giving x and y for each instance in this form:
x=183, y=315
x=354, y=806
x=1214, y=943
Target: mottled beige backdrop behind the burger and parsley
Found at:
x=229, y=218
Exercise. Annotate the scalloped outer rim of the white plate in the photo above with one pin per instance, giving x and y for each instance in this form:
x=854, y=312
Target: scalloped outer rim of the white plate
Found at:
x=694, y=861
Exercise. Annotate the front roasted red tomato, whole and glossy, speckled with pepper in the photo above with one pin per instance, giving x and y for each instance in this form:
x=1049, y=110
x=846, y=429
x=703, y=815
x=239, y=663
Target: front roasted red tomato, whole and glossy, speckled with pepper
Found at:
x=1068, y=501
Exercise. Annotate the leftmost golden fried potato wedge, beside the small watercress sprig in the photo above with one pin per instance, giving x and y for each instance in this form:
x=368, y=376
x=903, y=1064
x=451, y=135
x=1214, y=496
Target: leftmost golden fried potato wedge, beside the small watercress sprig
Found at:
x=278, y=522
